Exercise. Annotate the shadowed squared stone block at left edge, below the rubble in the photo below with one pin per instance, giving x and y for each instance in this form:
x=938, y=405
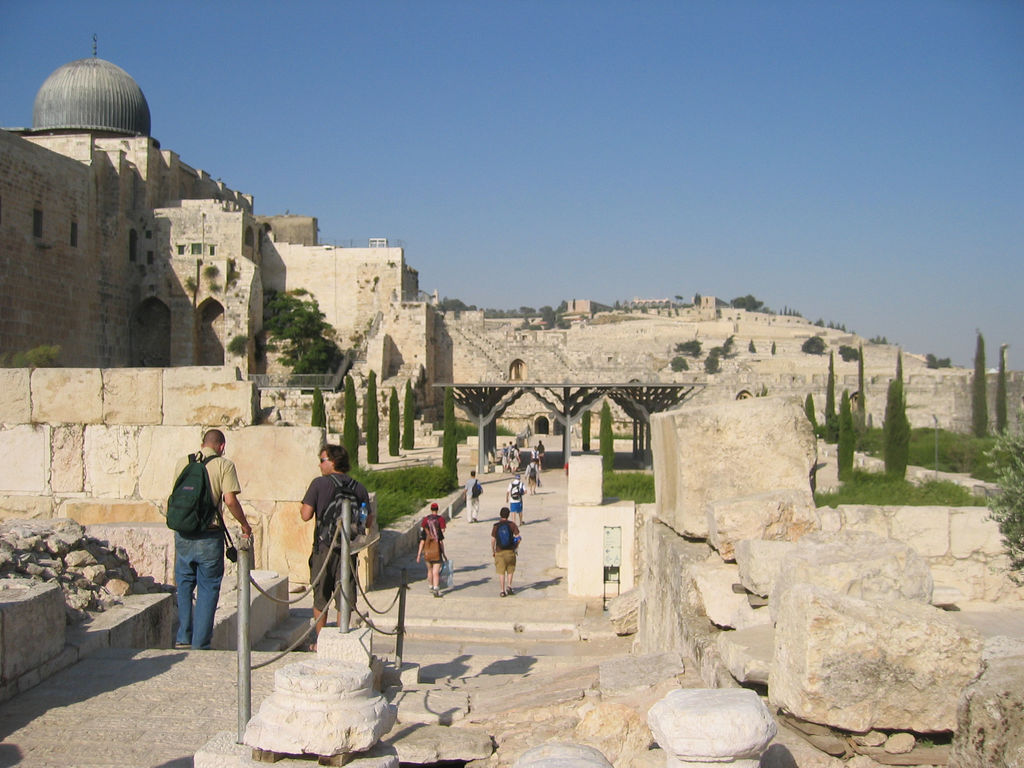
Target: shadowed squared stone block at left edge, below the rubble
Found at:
x=32, y=625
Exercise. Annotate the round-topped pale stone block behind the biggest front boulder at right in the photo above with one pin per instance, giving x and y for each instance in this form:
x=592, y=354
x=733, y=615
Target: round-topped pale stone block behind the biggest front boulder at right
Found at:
x=858, y=565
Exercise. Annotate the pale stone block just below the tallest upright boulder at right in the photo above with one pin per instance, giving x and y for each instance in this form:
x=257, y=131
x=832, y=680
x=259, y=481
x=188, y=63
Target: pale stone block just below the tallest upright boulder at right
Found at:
x=786, y=516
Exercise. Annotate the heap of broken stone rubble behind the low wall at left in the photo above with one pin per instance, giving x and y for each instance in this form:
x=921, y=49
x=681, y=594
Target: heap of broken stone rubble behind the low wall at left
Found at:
x=93, y=576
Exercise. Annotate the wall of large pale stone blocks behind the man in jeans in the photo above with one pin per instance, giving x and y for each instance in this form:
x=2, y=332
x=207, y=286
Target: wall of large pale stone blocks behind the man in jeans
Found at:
x=101, y=446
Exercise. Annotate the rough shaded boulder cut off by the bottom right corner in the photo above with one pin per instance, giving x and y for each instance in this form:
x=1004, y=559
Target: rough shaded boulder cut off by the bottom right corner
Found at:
x=991, y=717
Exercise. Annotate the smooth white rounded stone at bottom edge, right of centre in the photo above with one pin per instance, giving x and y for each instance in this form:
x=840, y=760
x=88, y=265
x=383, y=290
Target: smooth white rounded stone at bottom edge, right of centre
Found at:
x=703, y=726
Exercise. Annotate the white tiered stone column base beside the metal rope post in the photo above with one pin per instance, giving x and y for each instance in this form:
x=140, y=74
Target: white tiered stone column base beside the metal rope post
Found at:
x=321, y=708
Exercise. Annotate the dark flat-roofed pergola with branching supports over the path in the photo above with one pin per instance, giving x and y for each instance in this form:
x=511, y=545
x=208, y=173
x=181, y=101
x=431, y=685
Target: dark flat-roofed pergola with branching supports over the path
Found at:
x=485, y=403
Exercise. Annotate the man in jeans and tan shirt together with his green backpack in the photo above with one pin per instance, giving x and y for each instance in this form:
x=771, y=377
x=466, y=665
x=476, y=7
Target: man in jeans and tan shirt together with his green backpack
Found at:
x=204, y=481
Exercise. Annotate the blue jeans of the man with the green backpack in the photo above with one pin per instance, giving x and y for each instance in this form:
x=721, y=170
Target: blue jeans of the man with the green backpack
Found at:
x=199, y=567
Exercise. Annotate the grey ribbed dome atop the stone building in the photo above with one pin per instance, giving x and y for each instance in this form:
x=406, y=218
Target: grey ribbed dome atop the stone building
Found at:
x=92, y=95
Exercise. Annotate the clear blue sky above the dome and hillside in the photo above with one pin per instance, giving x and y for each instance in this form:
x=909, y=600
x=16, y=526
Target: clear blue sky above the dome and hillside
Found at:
x=861, y=162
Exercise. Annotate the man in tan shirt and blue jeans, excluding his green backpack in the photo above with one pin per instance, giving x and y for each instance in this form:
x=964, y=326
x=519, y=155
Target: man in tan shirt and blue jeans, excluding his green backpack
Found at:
x=199, y=559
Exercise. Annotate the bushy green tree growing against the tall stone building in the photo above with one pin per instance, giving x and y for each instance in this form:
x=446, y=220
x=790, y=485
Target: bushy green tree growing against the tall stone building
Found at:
x=300, y=331
